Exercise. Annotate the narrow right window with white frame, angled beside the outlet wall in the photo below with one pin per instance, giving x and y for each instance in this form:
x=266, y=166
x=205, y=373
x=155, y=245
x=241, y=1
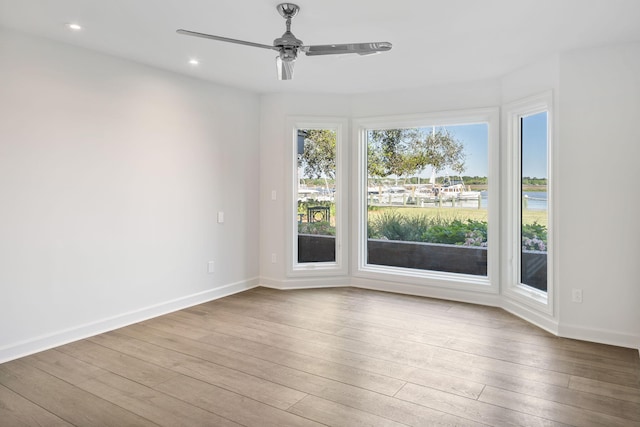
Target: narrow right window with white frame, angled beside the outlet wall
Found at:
x=530, y=245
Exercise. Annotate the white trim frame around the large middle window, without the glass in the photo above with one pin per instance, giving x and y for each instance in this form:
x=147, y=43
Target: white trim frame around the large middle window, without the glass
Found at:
x=488, y=284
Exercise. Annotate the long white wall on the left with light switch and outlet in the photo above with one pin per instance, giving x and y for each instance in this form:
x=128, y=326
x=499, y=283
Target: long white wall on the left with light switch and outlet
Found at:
x=111, y=174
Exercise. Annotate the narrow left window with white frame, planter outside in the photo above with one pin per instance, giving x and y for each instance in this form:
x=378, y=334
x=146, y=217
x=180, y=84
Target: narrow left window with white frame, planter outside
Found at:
x=317, y=194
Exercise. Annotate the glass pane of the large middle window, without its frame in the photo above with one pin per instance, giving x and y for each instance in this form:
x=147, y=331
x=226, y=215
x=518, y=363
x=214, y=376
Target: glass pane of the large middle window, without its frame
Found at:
x=427, y=198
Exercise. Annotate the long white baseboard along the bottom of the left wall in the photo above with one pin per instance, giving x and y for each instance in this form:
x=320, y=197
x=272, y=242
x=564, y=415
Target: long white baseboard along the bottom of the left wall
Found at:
x=45, y=342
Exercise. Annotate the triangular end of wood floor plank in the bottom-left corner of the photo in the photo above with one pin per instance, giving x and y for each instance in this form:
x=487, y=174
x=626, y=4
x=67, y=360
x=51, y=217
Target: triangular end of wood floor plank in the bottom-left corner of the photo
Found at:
x=16, y=411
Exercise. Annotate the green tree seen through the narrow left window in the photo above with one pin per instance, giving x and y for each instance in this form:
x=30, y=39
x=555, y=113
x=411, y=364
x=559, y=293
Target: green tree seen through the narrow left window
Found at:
x=318, y=158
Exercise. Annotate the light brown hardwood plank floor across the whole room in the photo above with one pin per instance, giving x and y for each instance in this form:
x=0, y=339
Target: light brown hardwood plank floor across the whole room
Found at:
x=338, y=357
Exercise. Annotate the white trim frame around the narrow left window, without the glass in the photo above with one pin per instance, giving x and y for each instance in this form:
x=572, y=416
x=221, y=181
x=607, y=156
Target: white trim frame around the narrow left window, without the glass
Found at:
x=316, y=269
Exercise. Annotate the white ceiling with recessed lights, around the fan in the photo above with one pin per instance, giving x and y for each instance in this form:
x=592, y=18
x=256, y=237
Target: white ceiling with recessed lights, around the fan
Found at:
x=434, y=41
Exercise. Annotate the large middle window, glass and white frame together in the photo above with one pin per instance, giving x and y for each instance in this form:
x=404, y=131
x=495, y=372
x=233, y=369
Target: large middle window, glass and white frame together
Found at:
x=427, y=209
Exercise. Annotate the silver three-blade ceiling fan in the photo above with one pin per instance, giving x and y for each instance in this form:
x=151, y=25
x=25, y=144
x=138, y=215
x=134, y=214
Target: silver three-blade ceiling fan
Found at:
x=288, y=45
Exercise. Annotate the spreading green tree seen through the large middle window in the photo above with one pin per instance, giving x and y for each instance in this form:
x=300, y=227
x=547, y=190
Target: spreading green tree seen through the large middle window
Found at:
x=403, y=152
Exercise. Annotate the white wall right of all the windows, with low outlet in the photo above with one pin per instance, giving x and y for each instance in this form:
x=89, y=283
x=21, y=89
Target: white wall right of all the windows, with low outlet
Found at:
x=599, y=164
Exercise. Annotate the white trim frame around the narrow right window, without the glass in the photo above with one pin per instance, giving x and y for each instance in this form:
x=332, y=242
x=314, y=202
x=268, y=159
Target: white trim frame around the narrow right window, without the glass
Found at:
x=512, y=113
